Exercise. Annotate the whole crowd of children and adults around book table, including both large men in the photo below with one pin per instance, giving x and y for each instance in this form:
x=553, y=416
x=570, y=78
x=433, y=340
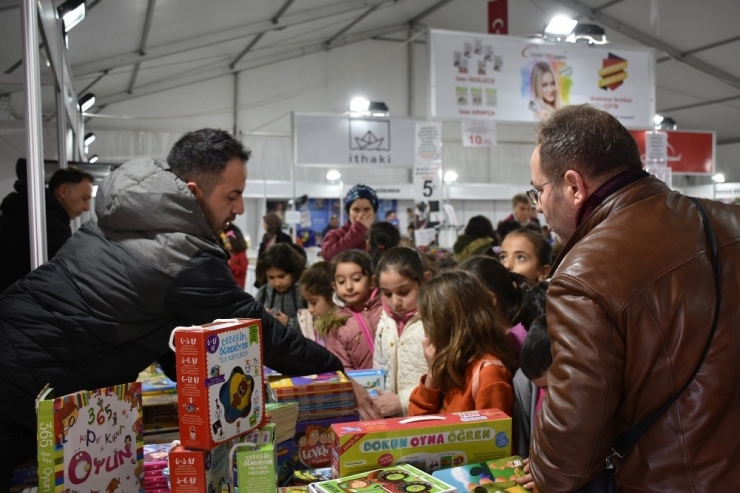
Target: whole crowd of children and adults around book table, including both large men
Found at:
x=579, y=347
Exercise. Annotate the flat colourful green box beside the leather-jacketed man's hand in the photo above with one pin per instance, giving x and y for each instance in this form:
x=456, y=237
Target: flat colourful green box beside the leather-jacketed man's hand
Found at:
x=495, y=475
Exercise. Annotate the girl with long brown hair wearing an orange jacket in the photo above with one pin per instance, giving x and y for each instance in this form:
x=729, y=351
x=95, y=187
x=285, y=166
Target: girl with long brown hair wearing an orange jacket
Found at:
x=468, y=355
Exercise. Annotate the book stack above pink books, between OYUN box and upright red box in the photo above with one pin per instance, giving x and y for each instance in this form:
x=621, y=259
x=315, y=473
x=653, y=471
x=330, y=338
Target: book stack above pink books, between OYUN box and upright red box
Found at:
x=159, y=401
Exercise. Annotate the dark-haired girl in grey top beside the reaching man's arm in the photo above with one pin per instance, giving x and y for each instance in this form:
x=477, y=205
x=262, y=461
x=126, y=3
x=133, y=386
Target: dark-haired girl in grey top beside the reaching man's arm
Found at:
x=281, y=267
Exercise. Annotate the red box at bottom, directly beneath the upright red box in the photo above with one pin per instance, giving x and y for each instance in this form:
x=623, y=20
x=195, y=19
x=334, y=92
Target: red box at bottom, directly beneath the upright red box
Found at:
x=201, y=471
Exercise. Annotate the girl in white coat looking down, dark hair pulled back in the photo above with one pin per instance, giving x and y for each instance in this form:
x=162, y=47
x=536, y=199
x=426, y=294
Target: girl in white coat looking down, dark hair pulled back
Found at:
x=398, y=349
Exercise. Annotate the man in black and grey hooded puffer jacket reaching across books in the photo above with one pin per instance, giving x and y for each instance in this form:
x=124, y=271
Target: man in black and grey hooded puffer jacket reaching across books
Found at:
x=102, y=310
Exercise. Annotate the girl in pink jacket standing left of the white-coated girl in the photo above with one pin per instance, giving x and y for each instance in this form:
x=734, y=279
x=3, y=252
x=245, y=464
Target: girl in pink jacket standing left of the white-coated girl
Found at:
x=357, y=299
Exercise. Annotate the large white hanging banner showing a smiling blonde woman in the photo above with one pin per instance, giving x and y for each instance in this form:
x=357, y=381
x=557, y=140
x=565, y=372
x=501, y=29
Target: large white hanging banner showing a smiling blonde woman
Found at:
x=479, y=76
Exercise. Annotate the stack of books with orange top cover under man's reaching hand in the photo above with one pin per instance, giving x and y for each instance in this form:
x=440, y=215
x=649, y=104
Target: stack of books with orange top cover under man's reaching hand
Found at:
x=325, y=395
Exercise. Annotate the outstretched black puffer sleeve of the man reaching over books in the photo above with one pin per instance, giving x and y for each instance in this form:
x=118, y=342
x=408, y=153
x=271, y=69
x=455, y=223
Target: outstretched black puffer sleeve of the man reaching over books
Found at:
x=205, y=290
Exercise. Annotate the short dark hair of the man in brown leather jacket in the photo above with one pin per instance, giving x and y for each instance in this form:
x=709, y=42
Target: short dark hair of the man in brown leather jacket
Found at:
x=587, y=140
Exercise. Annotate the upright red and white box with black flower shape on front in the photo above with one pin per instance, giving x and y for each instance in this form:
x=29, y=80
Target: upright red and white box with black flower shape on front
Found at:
x=220, y=383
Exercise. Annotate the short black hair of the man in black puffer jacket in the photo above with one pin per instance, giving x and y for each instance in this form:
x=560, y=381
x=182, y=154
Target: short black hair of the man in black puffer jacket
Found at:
x=204, y=153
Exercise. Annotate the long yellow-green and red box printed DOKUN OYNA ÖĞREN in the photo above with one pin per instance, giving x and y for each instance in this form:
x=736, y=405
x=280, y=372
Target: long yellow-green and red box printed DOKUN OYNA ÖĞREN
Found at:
x=427, y=442
